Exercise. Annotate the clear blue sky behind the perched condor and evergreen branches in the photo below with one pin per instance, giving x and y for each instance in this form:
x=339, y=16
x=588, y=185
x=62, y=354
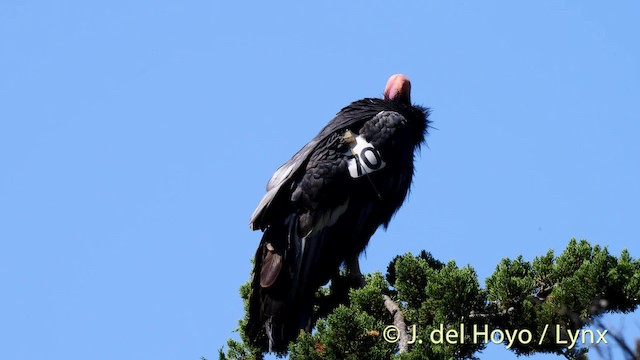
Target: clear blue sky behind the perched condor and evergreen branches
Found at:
x=136, y=138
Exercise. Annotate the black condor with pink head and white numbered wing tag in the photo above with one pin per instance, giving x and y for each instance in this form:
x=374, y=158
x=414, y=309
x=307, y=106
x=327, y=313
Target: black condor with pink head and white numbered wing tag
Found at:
x=324, y=204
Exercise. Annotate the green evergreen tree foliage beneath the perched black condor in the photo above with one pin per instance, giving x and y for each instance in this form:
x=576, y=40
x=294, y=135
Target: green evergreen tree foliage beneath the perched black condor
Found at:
x=426, y=309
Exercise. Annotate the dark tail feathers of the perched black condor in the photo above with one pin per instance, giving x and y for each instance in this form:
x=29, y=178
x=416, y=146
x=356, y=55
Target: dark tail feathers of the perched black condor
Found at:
x=279, y=305
